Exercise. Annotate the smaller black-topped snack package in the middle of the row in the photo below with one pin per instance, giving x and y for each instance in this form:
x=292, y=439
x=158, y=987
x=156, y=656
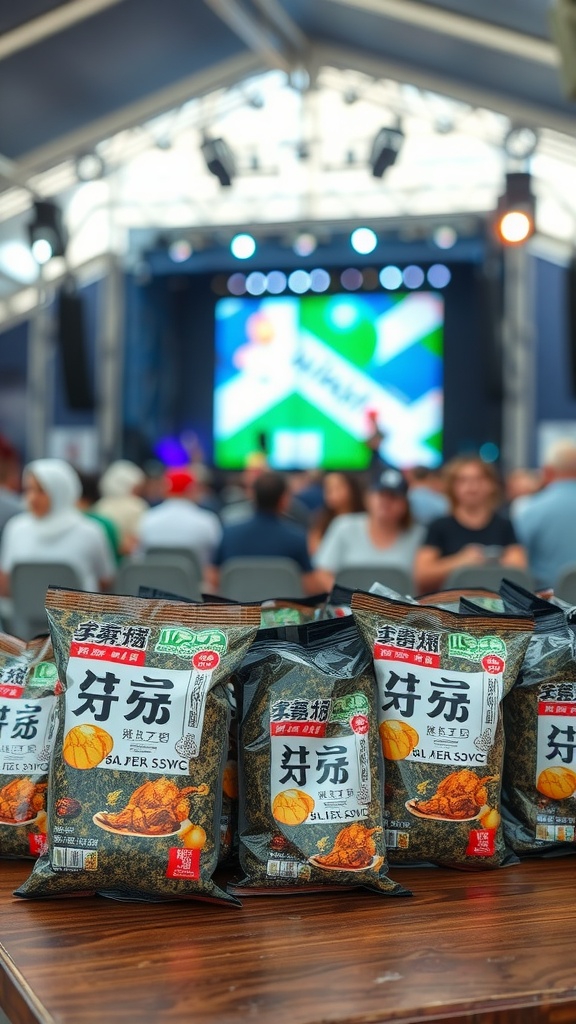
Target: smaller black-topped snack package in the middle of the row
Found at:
x=311, y=815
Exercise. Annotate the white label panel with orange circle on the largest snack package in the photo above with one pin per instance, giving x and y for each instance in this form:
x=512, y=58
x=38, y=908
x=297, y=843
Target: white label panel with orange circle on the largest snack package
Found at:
x=143, y=718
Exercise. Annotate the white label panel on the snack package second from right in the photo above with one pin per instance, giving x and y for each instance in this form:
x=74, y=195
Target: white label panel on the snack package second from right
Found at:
x=452, y=715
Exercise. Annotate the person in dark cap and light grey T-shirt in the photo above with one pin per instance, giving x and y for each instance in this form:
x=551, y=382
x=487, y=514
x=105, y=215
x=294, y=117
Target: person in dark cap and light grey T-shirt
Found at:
x=384, y=536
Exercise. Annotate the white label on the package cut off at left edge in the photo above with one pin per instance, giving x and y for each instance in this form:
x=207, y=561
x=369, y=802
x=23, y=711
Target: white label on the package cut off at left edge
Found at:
x=27, y=730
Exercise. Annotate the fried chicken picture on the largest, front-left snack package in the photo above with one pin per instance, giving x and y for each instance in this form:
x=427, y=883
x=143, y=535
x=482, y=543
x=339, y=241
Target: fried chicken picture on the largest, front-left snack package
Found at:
x=156, y=808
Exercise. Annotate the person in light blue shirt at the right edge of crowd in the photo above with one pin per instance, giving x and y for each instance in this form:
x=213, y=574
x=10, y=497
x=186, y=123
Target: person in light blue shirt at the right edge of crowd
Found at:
x=546, y=523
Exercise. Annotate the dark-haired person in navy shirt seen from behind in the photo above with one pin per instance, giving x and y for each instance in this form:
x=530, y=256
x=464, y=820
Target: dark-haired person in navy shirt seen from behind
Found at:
x=267, y=534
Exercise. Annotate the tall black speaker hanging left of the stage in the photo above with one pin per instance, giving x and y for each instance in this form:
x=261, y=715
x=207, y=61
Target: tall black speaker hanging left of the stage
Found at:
x=71, y=336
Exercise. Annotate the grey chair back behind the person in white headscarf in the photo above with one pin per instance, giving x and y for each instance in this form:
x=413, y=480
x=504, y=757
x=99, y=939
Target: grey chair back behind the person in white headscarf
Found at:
x=29, y=583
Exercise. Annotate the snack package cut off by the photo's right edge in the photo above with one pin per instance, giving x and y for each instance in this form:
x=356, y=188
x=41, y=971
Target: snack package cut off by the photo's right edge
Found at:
x=540, y=784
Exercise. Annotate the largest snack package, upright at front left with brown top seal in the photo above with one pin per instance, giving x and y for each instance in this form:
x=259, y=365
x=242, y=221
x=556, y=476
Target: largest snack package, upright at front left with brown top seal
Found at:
x=136, y=794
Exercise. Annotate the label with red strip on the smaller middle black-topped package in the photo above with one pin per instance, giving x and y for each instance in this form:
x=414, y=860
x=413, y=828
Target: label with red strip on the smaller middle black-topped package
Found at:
x=316, y=778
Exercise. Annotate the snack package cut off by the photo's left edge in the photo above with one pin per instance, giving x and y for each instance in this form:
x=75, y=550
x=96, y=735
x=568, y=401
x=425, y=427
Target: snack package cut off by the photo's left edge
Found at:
x=29, y=689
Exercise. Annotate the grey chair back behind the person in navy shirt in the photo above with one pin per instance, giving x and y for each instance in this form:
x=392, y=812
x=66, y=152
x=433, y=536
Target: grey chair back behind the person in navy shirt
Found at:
x=261, y=579
